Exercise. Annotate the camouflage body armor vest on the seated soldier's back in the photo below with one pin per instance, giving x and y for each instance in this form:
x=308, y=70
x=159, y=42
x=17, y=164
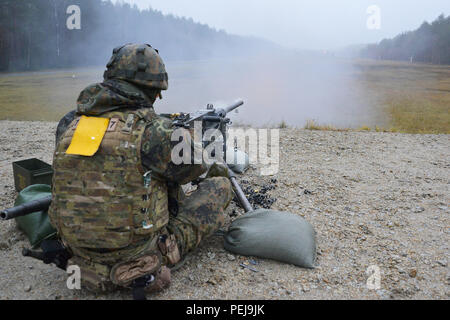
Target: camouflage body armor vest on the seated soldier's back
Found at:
x=108, y=201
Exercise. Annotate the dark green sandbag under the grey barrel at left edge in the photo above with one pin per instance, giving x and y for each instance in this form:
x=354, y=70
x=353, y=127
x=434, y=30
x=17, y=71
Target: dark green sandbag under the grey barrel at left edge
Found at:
x=36, y=225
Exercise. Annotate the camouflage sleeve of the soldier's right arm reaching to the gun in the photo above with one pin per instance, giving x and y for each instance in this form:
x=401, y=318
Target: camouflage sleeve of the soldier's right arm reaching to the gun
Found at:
x=157, y=150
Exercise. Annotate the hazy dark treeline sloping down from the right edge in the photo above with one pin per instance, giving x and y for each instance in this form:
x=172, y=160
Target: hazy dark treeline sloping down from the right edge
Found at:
x=429, y=44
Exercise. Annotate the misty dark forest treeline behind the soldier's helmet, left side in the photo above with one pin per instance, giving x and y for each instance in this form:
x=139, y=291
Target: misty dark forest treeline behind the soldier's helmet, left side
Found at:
x=36, y=34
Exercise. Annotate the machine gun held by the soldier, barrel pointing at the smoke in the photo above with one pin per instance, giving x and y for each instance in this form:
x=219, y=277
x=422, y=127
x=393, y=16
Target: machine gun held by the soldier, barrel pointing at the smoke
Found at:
x=211, y=118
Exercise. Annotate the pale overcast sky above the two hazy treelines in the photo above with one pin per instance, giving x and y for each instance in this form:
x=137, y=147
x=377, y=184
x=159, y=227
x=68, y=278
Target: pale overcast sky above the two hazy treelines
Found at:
x=312, y=24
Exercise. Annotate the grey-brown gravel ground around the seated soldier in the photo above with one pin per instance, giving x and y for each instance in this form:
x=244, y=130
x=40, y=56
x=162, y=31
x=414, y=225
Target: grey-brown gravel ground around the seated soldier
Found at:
x=374, y=199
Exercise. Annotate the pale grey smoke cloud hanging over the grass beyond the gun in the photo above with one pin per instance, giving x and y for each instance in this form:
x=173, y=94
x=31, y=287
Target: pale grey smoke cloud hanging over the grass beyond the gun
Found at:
x=276, y=86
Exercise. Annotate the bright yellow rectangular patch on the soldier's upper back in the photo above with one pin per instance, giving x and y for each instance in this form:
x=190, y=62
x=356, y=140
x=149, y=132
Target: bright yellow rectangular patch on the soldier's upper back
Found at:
x=88, y=136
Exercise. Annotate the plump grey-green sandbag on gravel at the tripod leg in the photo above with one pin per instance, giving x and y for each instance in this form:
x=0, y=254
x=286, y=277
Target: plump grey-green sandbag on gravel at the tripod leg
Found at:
x=272, y=234
